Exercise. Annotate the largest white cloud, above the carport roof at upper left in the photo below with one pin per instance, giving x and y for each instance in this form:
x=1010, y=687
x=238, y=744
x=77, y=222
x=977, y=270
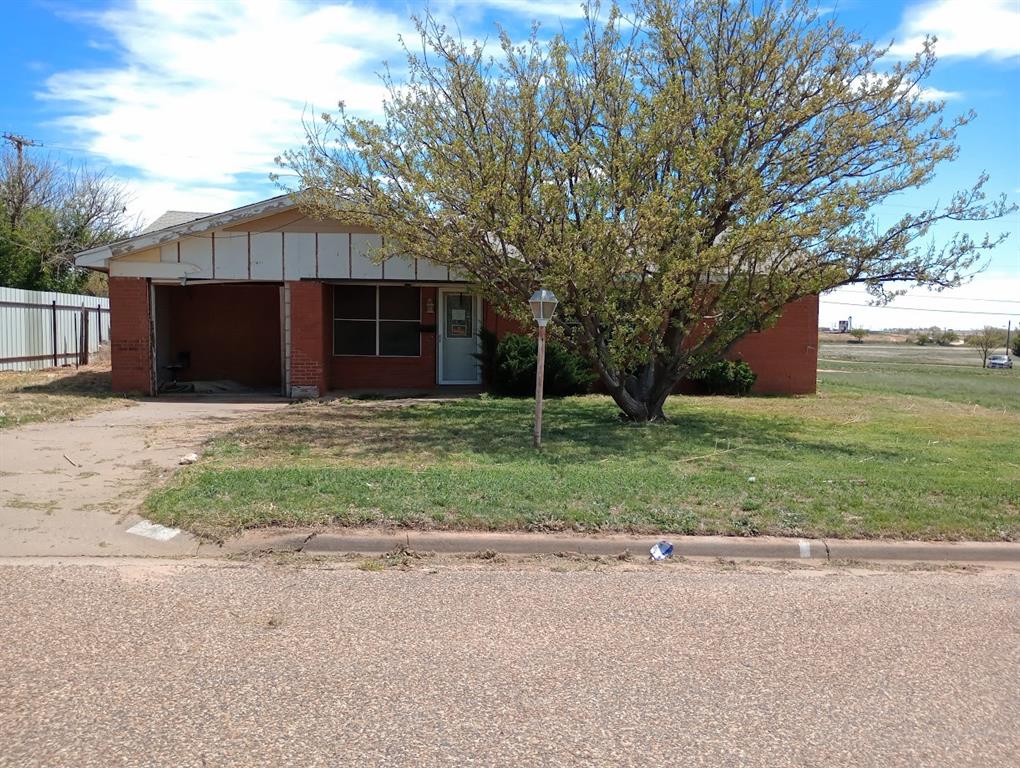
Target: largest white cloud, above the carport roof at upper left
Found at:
x=208, y=92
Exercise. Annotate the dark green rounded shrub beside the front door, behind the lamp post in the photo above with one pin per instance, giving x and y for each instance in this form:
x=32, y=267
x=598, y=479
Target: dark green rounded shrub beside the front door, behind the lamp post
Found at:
x=512, y=369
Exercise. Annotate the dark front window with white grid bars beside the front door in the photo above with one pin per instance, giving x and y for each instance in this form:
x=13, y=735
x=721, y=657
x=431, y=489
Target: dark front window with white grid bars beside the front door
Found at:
x=377, y=321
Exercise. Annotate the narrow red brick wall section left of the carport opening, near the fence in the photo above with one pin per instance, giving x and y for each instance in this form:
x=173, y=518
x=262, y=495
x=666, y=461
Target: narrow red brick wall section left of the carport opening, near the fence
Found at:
x=131, y=347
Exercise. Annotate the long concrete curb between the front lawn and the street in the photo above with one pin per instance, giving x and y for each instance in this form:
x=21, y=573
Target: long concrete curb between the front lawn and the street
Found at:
x=372, y=542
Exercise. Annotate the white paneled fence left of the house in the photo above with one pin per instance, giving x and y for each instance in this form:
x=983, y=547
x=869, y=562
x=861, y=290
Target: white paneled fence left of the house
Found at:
x=39, y=329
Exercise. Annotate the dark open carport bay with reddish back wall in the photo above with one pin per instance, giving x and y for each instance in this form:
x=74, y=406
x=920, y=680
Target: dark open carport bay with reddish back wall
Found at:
x=218, y=338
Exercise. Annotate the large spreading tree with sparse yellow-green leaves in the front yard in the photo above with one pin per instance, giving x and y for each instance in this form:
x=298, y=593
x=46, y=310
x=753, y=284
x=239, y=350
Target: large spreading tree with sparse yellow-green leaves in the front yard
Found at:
x=677, y=176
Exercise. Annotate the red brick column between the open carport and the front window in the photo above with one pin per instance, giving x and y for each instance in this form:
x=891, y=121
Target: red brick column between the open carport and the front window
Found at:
x=310, y=339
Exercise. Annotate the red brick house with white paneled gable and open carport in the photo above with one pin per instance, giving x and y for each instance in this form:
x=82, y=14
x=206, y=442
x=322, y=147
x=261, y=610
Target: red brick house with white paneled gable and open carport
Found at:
x=271, y=299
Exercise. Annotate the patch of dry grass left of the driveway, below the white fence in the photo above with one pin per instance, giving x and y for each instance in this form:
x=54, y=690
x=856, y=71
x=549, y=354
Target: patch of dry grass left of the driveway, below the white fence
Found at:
x=56, y=395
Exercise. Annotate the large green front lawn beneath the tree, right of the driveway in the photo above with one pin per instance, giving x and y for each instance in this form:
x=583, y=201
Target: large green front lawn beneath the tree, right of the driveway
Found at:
x=857, y=460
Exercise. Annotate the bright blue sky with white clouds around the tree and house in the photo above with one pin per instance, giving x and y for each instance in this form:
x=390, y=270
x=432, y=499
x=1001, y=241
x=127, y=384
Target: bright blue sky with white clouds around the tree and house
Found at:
x=190, y=101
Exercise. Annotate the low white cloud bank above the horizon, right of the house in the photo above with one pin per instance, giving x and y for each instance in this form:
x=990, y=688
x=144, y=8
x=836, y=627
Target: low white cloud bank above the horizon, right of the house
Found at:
x=991, y=299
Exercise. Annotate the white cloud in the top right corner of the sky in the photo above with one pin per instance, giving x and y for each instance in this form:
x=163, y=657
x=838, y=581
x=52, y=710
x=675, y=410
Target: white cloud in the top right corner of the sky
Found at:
x=964, y=28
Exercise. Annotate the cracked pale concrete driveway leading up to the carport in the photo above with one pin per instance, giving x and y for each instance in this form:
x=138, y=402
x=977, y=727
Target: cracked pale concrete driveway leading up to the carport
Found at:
x=74, y=488
